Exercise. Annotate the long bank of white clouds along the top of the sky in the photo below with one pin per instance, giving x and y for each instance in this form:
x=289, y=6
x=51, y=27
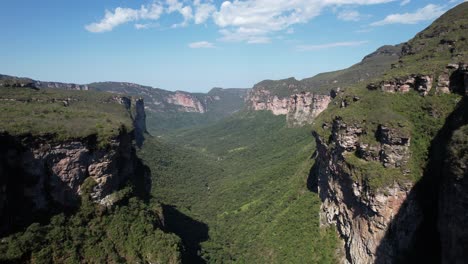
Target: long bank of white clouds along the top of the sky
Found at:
x=250, y=21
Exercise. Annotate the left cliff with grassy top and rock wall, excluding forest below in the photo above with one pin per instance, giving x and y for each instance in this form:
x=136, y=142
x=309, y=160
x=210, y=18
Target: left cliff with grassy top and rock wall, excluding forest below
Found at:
x=55, y=142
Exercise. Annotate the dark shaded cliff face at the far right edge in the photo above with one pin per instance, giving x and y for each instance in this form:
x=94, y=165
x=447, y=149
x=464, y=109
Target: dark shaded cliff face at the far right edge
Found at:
x=453, y=197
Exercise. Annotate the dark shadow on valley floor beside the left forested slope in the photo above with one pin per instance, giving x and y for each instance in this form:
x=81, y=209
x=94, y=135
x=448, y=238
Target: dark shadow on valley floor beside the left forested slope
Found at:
x=191, y=231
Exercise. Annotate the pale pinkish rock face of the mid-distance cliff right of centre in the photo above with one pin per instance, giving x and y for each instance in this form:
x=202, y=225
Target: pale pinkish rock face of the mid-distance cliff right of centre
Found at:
x=300, y=108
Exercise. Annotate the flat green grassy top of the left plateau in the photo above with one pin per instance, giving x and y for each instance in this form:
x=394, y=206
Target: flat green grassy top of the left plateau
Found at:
x=39, y=112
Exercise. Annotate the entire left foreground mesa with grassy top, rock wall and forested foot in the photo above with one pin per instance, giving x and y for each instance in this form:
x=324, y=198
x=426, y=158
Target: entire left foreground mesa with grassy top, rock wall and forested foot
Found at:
x=67, y=159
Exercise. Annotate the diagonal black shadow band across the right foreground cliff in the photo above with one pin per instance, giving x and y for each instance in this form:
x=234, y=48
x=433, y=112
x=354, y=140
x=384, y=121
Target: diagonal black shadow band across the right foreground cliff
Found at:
x=425, y=246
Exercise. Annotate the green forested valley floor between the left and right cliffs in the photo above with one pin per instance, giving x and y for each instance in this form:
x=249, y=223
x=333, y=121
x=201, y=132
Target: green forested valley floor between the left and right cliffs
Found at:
x=246, y=178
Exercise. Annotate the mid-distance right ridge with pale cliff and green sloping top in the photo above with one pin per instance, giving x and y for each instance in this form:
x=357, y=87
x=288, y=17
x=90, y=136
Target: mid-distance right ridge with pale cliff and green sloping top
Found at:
x=302, y=101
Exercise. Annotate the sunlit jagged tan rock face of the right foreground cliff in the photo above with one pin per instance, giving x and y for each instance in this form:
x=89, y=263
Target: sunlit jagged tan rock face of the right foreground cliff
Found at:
x=365, y=217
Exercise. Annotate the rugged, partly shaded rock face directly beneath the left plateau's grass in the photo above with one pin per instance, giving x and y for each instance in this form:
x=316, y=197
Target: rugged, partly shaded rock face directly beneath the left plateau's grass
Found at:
x=57, y=170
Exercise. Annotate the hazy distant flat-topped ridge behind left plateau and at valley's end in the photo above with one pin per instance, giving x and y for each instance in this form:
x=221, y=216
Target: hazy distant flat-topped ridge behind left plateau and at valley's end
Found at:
x=166, y=110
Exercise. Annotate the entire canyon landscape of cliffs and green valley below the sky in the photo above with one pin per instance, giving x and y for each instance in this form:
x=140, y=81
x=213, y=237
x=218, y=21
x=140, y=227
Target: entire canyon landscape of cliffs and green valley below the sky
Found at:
x=362, y=165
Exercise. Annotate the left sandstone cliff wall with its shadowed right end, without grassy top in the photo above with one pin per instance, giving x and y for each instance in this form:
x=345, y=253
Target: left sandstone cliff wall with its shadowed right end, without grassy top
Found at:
x=43, y=172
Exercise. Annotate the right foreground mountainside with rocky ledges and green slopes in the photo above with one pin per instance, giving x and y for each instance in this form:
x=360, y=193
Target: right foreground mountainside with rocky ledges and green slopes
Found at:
x=376, y=169
